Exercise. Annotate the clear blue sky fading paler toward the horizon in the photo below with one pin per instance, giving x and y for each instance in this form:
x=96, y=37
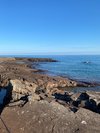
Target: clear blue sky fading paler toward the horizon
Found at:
x=49, y=26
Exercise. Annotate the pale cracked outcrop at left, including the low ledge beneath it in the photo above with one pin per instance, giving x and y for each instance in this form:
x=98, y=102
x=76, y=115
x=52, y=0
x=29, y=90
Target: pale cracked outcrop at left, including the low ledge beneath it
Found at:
x=22, y=91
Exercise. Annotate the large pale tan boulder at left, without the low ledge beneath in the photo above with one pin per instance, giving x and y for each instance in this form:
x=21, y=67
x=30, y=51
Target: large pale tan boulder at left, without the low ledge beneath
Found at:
x=20, y=90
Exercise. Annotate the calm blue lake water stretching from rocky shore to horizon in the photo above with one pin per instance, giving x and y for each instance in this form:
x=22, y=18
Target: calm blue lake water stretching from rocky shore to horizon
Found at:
x=78, y=67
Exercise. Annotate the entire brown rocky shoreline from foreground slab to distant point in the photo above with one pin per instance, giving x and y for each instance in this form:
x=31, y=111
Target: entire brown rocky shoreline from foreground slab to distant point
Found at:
x=37, y=103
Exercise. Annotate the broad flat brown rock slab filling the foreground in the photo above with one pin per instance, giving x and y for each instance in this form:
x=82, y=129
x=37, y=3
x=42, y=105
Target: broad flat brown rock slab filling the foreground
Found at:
x=44, y=117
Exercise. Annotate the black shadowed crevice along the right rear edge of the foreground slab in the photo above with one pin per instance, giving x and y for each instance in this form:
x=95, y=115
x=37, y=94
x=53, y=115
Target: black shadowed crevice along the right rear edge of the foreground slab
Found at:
x=83, y=101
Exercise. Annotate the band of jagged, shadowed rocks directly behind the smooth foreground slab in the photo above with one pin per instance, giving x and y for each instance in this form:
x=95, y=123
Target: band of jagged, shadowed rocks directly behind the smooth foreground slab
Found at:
x=24, y=91
